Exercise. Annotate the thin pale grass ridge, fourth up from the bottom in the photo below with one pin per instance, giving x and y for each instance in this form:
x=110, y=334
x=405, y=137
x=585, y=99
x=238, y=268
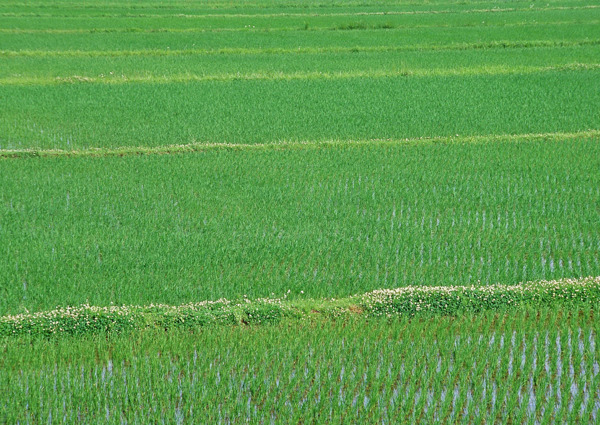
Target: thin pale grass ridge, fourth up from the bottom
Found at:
x=299, y=50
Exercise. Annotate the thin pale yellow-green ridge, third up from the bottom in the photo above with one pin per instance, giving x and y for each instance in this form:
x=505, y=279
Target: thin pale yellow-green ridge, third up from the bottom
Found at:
x=302, y=75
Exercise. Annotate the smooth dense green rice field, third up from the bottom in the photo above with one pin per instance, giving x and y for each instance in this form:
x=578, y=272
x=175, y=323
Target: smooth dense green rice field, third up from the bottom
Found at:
x=247, y=111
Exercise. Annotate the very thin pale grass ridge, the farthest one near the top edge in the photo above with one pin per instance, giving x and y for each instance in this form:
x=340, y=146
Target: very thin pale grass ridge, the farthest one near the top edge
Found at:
x=300, y=14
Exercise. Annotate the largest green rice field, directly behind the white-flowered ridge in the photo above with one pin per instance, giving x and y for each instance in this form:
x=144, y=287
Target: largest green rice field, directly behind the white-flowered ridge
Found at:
x=329, y=221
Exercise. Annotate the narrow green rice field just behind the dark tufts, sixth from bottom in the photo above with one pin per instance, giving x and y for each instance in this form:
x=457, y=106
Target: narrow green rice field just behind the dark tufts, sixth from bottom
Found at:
x=348, y=21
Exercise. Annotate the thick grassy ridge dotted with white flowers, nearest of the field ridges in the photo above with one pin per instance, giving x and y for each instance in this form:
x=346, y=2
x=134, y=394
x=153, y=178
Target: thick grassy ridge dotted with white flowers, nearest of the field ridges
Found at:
x=401, y=302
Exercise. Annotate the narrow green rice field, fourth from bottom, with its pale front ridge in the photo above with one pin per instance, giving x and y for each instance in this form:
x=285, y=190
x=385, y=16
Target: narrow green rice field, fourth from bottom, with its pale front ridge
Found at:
x=22, y=70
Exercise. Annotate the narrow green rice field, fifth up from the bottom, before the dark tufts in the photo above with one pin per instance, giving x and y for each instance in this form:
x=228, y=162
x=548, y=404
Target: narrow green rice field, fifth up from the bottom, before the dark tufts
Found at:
x=422, y=36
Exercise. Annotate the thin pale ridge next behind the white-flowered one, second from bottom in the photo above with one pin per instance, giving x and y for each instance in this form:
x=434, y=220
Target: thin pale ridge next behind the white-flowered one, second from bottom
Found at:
x=286, y=145
